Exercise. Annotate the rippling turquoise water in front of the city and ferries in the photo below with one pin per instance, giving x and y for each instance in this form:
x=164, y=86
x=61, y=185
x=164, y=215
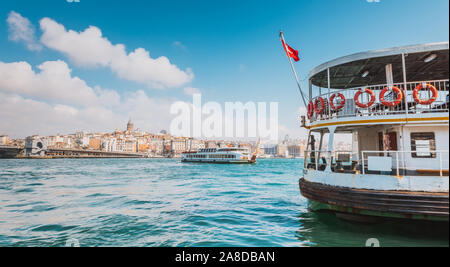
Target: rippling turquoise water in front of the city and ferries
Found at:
x=161, y=202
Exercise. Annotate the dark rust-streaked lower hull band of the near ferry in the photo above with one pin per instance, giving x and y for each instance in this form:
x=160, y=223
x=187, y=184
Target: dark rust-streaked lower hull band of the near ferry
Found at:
x=401, y=202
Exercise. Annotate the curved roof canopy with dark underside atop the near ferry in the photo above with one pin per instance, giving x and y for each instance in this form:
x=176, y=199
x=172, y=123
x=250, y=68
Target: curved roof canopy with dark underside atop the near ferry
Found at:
x=347, y=72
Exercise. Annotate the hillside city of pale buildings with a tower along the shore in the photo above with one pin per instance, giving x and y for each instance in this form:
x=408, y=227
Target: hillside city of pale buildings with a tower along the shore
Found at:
x=136, y=143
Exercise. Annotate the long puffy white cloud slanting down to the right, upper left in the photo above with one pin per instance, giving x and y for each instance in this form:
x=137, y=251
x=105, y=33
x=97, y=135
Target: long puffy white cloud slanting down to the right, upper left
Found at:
x=90, y=48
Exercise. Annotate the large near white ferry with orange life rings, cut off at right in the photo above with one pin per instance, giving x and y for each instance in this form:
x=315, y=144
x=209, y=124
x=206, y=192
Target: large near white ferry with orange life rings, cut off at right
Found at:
x=394, y=105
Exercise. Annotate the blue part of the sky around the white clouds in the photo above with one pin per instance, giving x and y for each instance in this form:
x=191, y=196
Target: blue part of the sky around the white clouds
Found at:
x=231, y=46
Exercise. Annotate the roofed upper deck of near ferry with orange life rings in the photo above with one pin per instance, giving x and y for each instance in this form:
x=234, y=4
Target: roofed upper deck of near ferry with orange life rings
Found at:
x=349, y=90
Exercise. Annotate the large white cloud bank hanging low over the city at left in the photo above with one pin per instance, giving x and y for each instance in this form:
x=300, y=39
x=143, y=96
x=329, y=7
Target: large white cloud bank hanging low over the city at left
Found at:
x=52, y=101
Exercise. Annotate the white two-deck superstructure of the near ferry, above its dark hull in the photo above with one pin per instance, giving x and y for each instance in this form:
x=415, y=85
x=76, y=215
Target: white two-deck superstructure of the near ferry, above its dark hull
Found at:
x=395, y=105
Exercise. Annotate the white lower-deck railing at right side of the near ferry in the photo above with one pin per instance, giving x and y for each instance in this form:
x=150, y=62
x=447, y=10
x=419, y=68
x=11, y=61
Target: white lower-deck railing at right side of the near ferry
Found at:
x=404, y=160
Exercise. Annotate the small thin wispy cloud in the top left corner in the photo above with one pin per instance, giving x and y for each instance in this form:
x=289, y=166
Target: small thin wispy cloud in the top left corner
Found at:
x=21, y=30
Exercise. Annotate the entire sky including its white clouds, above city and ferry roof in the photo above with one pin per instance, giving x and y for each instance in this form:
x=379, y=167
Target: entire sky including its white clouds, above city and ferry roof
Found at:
x=91, y=65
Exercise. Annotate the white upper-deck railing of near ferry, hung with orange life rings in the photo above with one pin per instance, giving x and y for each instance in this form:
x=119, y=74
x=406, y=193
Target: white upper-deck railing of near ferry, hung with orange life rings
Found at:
x=409, y=106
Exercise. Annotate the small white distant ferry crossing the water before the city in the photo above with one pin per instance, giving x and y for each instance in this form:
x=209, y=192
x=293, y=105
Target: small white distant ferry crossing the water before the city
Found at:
x=229, y=155
